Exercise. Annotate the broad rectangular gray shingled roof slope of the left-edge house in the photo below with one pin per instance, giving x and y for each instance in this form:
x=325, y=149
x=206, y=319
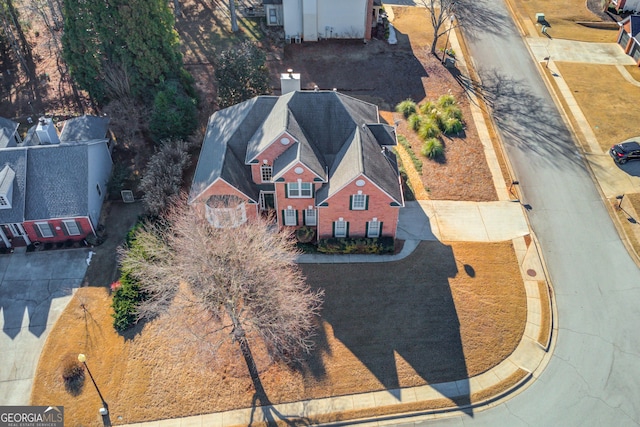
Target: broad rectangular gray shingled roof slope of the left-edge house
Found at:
x=58, y=182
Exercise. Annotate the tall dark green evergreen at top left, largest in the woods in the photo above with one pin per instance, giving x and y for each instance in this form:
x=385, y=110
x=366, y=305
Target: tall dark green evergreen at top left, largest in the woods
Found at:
x=132, y=35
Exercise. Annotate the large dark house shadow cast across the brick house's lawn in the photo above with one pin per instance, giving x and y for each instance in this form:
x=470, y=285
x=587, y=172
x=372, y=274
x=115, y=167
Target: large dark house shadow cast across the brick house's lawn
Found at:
x=404, y=309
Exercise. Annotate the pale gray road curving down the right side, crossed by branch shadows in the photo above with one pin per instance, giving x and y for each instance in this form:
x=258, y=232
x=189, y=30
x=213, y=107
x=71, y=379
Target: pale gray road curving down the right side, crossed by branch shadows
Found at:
x=592, y=378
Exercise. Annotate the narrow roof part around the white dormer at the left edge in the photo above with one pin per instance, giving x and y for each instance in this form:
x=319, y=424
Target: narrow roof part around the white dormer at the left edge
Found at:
x=16, y=159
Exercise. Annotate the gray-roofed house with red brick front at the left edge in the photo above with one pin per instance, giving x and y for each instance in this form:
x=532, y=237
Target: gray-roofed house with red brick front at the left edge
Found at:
x=52, y=186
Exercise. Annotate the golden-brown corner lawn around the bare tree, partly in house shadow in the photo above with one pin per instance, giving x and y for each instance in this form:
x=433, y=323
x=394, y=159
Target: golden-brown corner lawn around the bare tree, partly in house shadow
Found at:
x=447, y=312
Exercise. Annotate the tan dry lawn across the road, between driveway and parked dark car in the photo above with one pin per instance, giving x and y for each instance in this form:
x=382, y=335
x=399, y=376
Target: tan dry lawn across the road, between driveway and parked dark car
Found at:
x=605, y=98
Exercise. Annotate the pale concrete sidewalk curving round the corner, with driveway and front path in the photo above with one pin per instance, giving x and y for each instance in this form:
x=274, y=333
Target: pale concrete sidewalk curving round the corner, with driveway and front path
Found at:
x=431, y=220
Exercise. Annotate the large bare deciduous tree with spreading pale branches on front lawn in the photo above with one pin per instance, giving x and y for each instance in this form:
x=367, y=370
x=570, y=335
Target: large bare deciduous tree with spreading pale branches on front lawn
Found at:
x=244, y=279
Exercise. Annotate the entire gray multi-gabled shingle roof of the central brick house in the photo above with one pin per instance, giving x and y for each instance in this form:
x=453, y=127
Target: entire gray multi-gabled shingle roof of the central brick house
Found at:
x=333, y=131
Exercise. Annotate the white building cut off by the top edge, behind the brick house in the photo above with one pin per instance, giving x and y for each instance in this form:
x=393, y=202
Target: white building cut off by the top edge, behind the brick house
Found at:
x=311, y=20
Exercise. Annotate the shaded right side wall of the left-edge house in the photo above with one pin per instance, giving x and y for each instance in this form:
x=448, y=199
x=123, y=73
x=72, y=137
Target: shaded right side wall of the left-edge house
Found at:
x=99, y=172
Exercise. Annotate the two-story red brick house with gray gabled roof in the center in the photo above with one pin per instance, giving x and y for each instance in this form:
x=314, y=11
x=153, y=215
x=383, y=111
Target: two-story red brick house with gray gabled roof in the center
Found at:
x=314, y=158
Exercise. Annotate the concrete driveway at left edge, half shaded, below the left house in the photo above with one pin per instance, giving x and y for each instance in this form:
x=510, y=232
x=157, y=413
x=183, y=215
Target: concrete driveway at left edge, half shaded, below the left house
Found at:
x=34, y=289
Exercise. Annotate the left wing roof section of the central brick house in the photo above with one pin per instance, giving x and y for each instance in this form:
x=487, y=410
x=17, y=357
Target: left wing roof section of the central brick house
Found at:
x=223, y=149
